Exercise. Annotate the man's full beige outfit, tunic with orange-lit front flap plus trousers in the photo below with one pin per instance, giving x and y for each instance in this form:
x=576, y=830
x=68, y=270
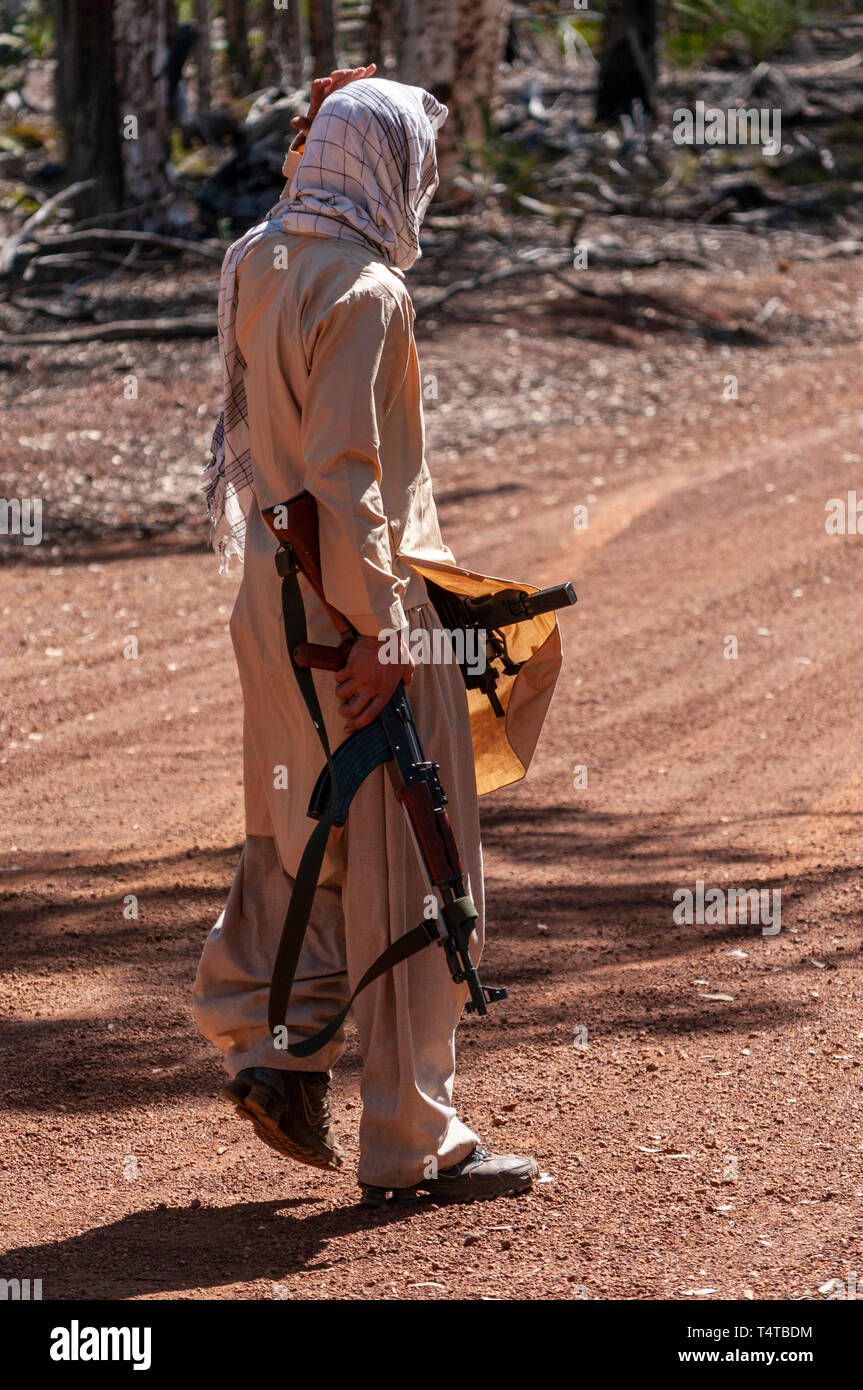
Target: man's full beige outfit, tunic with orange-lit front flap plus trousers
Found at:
x=313, y=315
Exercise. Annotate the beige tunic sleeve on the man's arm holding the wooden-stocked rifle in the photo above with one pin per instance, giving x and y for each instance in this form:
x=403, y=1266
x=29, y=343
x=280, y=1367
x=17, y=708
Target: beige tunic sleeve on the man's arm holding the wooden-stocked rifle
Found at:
x=359, y=358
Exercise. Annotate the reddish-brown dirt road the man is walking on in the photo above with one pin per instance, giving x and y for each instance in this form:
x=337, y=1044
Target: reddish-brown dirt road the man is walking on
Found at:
x=693, y=1092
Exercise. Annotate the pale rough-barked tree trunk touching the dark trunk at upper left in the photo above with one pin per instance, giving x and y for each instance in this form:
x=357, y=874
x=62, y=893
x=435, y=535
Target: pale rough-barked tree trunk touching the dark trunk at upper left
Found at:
x=140, y=65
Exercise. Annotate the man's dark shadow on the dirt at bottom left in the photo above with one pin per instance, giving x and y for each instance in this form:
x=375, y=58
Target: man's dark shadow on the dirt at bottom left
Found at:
x=167, y=1250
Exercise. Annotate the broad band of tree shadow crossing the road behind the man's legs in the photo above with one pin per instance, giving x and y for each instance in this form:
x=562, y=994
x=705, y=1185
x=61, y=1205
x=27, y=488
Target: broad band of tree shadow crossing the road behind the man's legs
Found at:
x=144, y=1049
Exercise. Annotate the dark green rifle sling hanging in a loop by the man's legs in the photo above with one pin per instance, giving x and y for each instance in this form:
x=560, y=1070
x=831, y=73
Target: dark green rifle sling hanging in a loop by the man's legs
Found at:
x=309, y=872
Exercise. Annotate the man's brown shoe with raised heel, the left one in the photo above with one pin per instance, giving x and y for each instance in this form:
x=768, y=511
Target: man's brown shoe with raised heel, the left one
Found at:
x=290, y=1111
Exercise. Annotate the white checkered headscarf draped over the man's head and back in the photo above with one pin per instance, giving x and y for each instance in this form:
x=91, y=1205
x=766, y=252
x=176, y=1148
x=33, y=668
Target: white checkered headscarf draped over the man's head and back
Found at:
x=368, y=174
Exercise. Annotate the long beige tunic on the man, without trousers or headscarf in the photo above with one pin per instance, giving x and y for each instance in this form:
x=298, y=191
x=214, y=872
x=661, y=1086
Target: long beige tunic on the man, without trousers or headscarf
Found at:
x=319, y=422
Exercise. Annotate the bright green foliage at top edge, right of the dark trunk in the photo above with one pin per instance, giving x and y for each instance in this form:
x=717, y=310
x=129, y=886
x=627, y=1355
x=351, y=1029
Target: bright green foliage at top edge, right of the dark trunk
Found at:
x=762, y=27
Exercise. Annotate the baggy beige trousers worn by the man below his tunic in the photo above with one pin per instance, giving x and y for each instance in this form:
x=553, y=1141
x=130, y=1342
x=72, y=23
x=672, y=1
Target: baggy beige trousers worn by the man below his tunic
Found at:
x=373, y=893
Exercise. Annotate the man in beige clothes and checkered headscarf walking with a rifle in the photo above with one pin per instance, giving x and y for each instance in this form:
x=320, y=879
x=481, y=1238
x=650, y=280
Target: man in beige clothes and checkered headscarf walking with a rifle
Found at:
x=324, y=394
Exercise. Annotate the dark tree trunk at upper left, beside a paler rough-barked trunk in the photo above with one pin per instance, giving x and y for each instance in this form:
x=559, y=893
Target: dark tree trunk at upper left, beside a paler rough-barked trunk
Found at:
x=87, y=101
